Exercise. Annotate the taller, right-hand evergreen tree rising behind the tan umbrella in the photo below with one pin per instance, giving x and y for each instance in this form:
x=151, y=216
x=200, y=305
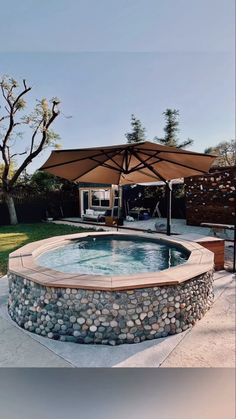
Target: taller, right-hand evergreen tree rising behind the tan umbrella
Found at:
x=171, y=130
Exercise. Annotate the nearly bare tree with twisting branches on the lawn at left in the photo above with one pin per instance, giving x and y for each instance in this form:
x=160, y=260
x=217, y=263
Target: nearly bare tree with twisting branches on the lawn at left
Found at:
x=37, y=123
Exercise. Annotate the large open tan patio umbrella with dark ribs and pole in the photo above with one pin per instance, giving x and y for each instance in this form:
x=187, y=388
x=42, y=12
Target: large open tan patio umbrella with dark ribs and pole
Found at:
x=128, y=164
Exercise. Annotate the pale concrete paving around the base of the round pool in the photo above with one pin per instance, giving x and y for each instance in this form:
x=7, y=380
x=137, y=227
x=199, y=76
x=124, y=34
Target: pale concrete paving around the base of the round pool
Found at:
x=211, y=342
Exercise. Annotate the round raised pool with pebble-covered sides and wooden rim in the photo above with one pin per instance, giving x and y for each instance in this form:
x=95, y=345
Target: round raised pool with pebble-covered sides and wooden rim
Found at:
x=109, y=288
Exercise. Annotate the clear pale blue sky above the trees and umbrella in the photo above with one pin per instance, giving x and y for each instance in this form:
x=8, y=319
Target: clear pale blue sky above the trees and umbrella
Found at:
x=107, y=59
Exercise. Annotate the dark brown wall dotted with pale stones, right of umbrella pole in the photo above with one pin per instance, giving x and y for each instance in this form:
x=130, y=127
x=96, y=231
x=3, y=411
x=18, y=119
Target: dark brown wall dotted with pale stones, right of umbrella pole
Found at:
x=211, y=198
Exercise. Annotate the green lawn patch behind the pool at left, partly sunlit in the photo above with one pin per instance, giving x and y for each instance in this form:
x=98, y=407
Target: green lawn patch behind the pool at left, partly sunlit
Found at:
x=13, y=237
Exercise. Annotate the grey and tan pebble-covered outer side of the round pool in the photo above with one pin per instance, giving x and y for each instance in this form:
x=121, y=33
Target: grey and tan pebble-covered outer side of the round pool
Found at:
x=108, y=317
